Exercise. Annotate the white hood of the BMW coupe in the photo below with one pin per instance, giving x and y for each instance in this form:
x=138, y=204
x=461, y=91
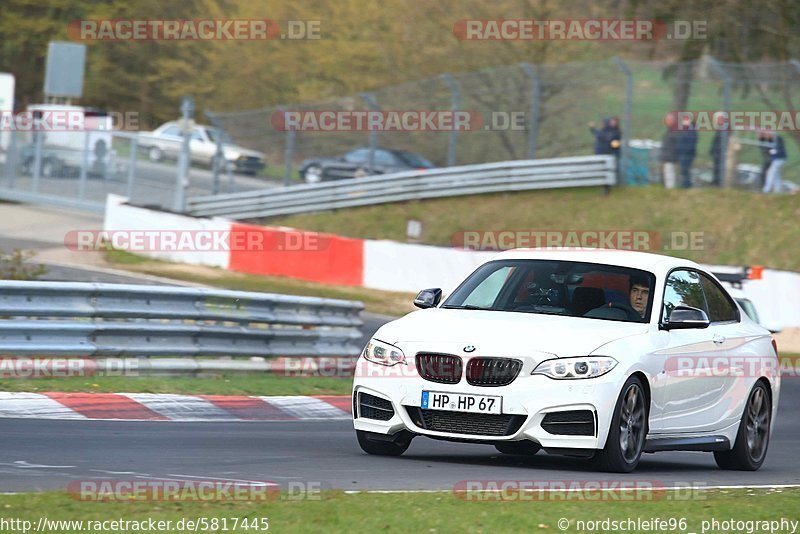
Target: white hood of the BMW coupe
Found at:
x=504, y=333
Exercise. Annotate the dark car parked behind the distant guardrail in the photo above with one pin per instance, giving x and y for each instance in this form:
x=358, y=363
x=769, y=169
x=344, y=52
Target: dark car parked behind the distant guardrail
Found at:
x=355, y=164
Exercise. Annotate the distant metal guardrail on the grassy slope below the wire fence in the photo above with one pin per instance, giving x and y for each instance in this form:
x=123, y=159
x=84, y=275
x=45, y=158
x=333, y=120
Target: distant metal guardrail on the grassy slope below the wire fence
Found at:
x=412, y=185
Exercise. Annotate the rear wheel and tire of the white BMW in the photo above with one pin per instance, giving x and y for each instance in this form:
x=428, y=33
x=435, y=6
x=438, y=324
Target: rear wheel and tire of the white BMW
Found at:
x=752, y=440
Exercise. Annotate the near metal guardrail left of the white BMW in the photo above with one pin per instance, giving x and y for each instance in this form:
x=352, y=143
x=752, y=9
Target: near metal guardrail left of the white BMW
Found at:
x=103, y=320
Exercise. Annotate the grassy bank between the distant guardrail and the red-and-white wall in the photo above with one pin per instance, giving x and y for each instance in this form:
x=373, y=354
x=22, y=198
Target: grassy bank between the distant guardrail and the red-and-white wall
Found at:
x=738, y=227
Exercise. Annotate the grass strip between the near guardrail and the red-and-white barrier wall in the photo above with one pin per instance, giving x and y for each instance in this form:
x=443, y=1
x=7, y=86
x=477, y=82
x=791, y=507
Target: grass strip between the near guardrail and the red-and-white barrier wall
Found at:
x=382, y=302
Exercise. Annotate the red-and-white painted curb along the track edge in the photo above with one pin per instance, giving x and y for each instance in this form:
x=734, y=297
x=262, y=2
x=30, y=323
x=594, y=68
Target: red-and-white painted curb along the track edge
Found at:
x=169, y=407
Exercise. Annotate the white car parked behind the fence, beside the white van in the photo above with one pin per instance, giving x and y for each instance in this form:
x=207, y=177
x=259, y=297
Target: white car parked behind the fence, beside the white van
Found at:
x=166, y=141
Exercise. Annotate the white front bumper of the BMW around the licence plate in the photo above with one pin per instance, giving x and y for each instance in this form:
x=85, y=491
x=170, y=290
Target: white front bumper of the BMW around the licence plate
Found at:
x=529, y=399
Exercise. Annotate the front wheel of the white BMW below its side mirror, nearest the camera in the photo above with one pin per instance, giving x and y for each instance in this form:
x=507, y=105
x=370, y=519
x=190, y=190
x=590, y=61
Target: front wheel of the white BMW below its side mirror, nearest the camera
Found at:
x=628, y=431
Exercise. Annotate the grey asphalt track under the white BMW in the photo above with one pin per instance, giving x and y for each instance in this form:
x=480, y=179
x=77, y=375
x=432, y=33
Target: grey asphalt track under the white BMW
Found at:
x=40, y=454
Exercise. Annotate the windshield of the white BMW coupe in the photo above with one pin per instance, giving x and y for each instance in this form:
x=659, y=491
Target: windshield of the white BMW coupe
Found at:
x=573, y=289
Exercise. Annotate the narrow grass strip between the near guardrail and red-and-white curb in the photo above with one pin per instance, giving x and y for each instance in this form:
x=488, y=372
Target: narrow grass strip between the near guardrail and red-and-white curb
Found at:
x=223, y=384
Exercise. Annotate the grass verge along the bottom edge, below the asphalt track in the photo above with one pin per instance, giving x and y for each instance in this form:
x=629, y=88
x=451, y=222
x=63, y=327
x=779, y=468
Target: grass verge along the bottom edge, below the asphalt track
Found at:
x=335, y=511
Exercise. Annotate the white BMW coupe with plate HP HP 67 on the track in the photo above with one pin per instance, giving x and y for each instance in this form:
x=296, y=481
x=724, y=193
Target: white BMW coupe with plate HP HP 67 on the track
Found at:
x=548, y=350
